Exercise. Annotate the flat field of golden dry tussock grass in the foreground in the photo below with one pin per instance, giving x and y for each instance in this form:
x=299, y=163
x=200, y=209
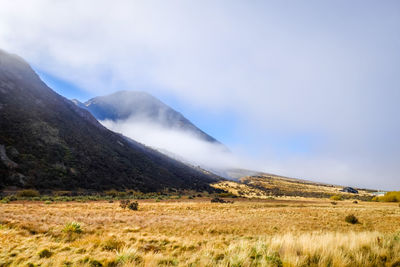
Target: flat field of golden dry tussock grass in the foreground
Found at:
x=195, y=232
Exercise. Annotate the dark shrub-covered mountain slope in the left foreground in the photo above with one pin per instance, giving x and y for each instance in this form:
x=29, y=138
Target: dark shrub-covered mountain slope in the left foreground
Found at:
x=48, y=142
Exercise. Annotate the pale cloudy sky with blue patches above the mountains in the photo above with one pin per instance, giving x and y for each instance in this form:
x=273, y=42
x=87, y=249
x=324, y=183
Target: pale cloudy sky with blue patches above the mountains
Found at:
x=306, y=89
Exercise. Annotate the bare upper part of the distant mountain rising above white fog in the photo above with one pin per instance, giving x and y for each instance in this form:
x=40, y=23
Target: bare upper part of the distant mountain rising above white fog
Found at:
x=141, y=106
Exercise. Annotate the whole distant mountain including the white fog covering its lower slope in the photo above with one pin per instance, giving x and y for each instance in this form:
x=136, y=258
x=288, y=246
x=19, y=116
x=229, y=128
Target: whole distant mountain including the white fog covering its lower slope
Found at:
x=146, y=119
